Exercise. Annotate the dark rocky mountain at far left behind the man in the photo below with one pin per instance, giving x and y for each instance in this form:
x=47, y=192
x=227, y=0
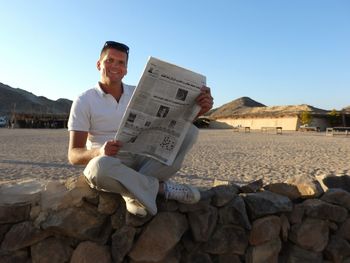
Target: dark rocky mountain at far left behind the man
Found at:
x=22, y=101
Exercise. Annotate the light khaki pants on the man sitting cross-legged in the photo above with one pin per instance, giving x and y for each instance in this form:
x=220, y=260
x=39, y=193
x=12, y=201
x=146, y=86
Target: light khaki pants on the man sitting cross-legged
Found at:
x=135, y=176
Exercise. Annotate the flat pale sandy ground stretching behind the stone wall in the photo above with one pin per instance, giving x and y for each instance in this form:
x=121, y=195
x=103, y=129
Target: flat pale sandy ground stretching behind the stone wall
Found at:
x=27, y=154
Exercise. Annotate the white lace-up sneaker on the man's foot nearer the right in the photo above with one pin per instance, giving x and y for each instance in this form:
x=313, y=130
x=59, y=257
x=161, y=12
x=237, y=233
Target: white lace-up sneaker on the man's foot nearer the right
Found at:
x=182, y=193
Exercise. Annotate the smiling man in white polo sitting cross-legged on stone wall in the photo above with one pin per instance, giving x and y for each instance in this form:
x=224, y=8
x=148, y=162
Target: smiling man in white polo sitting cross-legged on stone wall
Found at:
x=94, y=118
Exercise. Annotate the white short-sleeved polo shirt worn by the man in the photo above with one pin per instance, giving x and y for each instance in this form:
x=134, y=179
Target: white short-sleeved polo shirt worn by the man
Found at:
x=99, y=114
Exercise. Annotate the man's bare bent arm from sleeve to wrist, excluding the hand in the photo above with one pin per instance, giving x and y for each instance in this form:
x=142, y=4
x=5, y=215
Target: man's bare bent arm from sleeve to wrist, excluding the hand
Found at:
x=77, y=152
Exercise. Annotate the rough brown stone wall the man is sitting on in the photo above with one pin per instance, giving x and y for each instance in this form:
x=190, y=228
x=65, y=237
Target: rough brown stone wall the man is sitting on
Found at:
x=283, y=222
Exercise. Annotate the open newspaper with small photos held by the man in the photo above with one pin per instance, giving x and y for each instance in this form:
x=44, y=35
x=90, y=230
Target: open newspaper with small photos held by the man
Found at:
x=161, y=110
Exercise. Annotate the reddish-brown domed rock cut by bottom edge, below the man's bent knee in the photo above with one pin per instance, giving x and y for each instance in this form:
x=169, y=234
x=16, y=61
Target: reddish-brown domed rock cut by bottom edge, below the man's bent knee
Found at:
x=90, y=252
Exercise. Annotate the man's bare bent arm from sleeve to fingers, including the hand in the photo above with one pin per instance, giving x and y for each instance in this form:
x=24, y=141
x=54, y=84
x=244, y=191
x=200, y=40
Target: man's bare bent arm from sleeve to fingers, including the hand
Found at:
x=78, y=154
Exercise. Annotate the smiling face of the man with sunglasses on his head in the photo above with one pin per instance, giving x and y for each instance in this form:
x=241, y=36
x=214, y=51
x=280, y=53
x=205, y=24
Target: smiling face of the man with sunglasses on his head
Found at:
x=112, y=66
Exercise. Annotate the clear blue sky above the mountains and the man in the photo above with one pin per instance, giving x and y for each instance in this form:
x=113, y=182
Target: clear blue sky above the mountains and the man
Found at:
x=275, y=52
